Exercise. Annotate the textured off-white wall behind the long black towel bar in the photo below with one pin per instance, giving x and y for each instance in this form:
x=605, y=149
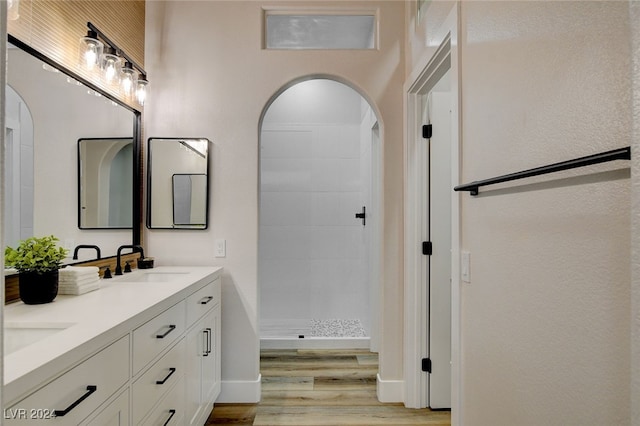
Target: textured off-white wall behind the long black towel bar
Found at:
x=550, y=262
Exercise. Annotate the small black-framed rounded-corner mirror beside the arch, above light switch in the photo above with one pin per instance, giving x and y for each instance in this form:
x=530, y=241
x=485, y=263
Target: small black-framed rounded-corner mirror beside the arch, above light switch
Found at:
x=178, y=183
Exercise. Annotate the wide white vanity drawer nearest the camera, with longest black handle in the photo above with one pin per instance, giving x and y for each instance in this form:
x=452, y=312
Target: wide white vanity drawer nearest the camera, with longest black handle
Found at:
x=76, y=393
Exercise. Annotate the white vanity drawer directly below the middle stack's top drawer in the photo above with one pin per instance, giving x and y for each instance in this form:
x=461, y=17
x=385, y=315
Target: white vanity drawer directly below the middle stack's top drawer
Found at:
x=156, y=381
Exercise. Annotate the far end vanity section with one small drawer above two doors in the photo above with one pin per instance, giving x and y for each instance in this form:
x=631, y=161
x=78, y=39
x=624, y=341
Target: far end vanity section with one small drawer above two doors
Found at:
x=203, y=353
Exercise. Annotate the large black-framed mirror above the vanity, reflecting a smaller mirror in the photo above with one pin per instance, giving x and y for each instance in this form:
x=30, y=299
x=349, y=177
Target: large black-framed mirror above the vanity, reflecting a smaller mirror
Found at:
x=48, y=112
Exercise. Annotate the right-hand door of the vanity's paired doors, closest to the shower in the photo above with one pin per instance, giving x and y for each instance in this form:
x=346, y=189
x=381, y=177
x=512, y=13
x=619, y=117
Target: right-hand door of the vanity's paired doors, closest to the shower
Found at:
x=211, y=362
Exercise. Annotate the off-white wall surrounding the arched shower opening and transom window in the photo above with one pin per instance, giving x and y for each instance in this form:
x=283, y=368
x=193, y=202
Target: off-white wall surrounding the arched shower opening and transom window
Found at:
x=211, y=78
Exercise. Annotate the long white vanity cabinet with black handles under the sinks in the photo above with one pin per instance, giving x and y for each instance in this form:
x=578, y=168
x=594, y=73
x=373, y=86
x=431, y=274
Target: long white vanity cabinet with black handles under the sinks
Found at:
x=163, y=369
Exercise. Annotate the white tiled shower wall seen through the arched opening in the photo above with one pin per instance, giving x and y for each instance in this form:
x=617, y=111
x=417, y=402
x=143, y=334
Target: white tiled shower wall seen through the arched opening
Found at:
x=312, y=258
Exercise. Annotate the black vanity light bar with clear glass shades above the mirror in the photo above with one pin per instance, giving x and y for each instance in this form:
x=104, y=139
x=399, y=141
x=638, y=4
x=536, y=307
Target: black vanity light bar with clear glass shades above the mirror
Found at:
x=116, y=65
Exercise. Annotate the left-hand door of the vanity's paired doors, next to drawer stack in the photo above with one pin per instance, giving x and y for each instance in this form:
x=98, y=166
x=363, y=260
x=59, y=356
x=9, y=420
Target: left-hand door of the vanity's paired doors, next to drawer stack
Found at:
x=196, y=349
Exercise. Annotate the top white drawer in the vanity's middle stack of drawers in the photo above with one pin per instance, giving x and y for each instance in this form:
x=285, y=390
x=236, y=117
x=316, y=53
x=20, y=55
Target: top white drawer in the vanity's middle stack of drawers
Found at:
x=157, y=334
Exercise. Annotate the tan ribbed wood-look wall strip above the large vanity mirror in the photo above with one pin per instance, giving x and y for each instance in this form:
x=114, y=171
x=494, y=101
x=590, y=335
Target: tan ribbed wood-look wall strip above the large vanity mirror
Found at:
x=54, y=28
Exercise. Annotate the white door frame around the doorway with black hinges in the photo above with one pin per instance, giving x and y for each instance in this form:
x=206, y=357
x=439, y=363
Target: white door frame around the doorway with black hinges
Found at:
x=416, y=305
